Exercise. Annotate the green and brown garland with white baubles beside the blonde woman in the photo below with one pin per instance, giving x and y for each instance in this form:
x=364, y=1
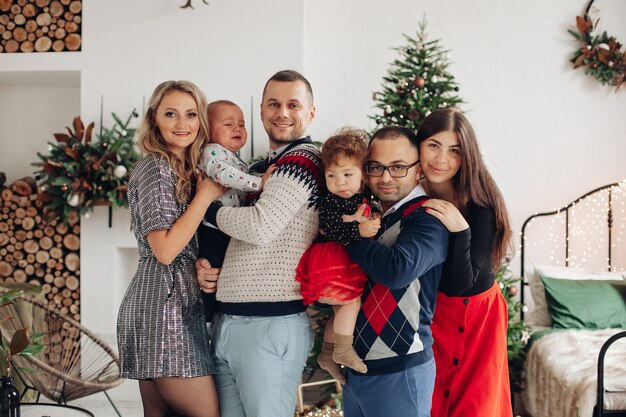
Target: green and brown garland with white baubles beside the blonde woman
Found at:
x=79, y=174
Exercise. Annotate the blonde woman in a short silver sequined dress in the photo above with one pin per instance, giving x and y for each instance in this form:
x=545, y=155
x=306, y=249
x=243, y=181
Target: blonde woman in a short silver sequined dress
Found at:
x=162, y=336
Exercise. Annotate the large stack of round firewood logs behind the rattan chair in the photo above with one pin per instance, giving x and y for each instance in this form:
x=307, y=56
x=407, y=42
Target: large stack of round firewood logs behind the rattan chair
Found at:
x=36, y=250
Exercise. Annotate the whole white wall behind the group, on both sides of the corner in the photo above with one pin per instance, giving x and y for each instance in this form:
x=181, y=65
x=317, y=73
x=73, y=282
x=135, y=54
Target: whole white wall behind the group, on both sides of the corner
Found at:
x=548, y=133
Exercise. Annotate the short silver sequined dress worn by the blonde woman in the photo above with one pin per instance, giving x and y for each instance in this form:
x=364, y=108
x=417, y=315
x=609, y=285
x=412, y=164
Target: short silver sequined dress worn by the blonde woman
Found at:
x=161, y=330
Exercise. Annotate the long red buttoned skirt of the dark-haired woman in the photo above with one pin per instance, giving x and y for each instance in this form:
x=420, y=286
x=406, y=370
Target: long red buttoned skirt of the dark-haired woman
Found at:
x=471, y=356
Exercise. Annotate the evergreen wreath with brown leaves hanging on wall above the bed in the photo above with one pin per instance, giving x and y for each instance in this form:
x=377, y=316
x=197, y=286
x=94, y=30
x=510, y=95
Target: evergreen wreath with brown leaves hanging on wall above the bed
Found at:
x=600, y=54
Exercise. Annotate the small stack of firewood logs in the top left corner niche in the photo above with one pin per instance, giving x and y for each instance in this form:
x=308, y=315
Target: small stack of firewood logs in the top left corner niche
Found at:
x=40, y=25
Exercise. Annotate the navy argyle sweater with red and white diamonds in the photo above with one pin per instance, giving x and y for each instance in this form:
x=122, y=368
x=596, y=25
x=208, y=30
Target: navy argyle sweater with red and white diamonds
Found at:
x=404, y=265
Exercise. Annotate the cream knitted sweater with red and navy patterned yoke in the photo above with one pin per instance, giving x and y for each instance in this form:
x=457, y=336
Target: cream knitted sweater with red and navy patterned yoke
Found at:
x=269, y=237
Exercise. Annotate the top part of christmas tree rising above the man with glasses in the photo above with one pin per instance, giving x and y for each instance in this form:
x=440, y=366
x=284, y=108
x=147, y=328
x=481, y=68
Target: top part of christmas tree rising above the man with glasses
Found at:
x=417, y=83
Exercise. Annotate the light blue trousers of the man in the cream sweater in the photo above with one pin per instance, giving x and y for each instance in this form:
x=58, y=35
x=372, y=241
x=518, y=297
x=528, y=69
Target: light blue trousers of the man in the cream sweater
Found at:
x=259, y=363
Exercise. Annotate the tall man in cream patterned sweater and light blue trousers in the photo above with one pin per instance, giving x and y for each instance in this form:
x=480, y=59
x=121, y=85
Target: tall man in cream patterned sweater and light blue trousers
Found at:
x=262, y=334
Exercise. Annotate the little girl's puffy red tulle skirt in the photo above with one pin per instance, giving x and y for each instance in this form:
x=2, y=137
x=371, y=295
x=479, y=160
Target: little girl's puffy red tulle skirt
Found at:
x=327, y=273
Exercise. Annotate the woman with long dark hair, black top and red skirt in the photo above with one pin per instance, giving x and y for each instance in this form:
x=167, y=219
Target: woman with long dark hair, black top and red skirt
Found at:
x=470, y=320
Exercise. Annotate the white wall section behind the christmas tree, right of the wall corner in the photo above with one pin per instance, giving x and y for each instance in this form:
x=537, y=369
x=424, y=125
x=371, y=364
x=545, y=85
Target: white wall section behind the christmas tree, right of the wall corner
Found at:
x=548, y=133
